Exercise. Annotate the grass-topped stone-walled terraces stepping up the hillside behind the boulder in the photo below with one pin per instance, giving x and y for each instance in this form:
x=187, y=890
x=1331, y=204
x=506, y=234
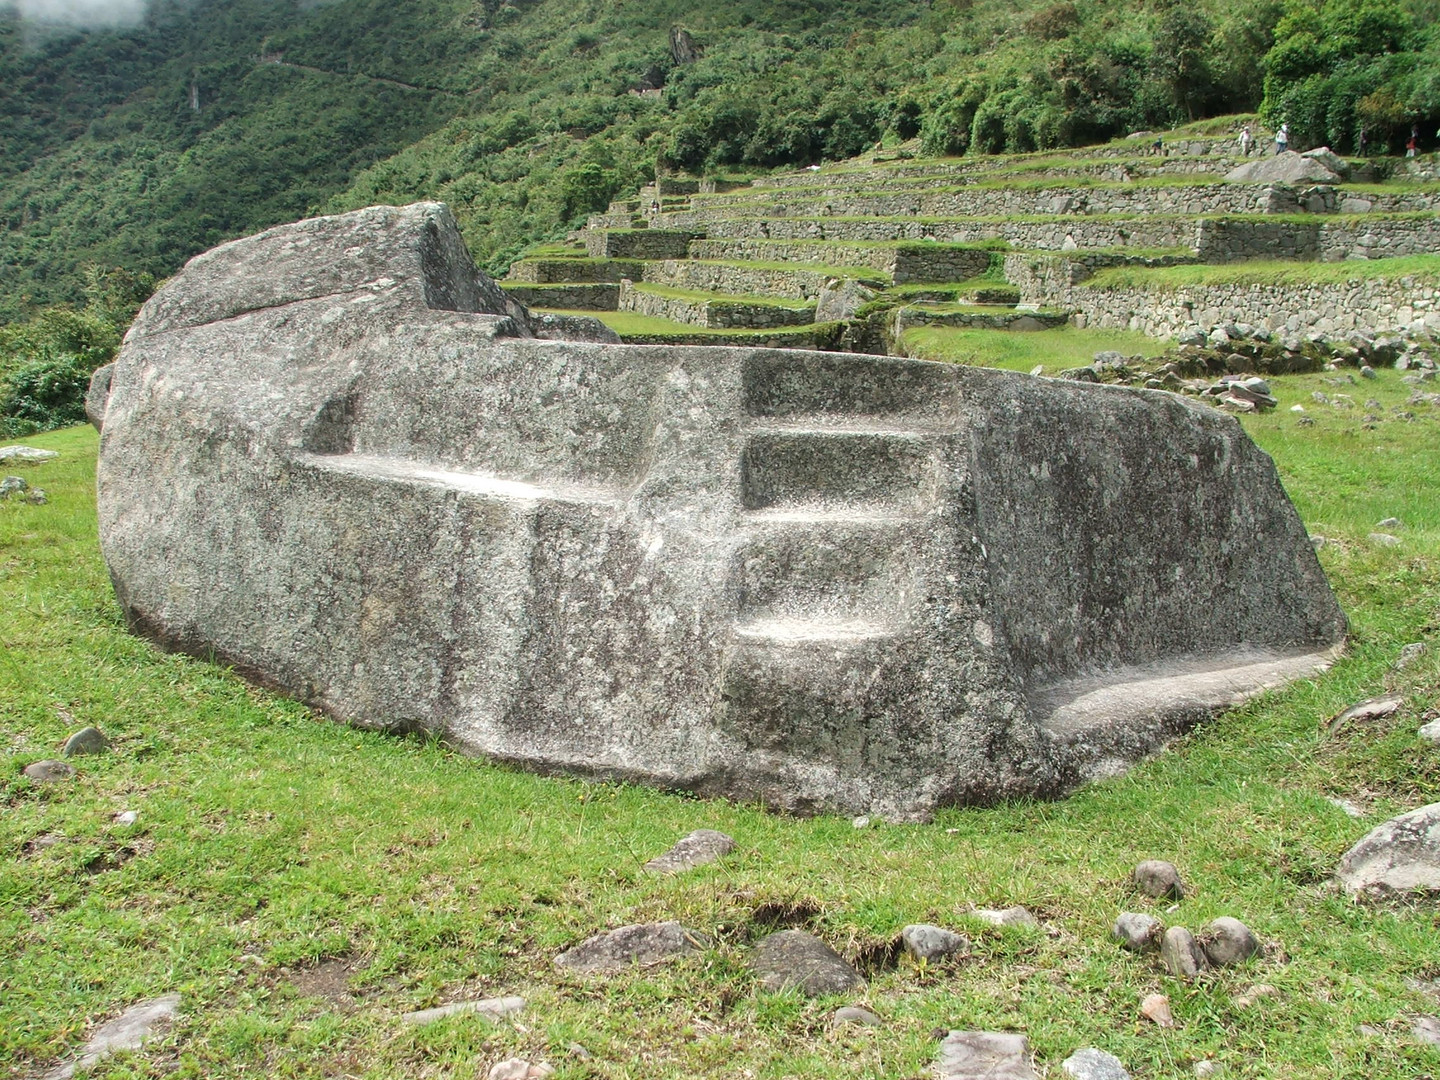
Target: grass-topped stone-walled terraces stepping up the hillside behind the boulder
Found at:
x=850, y=256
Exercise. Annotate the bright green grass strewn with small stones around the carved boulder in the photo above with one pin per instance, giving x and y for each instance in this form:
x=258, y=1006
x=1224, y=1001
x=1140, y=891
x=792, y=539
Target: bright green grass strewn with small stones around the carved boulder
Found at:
x=302, y=885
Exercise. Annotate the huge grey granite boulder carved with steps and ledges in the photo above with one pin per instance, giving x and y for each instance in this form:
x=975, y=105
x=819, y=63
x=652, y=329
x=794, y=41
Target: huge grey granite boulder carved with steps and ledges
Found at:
x=339, y=460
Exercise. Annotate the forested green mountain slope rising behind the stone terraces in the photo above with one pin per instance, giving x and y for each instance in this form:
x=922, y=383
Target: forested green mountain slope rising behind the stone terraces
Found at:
x=139, y=148
